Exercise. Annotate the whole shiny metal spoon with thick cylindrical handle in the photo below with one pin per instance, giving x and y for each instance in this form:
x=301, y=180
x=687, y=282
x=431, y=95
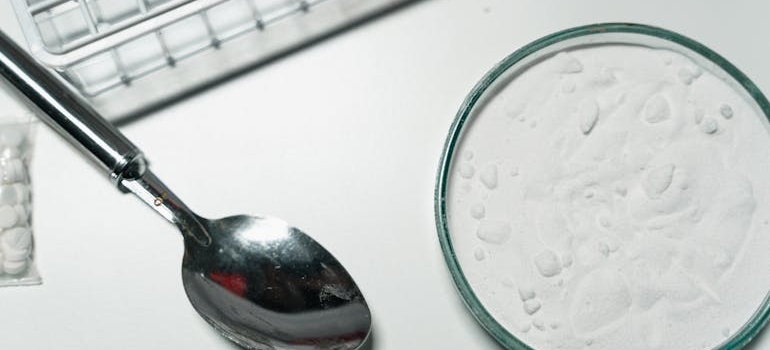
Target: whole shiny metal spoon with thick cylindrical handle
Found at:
x=260, y=282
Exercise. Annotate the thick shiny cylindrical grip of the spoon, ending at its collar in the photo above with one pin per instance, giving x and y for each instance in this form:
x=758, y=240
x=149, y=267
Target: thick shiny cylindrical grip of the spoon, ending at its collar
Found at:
x=68, y=114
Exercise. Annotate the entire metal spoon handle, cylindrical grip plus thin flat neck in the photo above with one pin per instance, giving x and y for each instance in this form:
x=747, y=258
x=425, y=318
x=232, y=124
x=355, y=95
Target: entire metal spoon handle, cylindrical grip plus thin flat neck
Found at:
x=75, y=120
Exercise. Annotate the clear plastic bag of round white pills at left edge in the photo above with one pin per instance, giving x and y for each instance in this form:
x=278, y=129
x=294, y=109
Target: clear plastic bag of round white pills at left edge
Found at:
x=17, y=257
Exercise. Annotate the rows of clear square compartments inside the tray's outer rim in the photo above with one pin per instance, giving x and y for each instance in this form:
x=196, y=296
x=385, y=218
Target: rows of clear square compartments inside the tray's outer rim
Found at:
x=68, y=25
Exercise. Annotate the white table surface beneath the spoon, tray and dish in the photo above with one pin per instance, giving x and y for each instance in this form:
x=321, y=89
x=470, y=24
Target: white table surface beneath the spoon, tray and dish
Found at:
x=342, y=140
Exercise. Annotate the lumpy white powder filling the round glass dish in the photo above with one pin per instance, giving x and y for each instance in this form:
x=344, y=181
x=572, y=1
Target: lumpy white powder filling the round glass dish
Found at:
x=635, y=211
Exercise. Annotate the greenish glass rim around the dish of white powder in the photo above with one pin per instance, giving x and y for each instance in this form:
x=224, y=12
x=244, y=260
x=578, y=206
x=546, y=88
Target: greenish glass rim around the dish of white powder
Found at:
x=741, y=338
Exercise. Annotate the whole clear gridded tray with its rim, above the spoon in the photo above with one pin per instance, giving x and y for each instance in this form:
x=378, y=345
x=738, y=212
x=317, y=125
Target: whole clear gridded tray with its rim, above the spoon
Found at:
x=129, y=55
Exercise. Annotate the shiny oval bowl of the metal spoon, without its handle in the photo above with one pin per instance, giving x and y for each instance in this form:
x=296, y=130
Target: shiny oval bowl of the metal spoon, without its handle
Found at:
x=262, y=282
